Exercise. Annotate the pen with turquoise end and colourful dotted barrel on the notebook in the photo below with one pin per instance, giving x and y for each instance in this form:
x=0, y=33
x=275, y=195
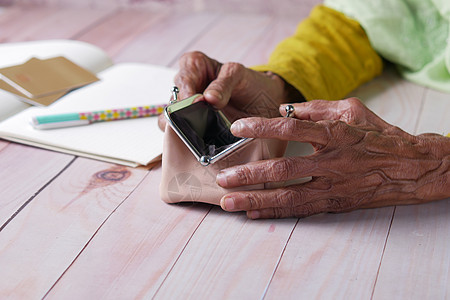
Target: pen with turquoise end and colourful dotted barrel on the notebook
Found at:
x=85, y=118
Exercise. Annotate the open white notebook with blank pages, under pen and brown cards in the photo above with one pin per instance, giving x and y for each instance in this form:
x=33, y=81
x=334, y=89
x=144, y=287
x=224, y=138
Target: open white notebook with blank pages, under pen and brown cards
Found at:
x=131, y=142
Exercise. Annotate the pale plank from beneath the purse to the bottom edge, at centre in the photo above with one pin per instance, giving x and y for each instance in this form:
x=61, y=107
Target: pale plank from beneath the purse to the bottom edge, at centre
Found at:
x=229, y=257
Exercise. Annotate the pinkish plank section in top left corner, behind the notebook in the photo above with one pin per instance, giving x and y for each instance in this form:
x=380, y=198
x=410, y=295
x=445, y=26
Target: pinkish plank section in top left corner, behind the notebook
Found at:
x=37, y=23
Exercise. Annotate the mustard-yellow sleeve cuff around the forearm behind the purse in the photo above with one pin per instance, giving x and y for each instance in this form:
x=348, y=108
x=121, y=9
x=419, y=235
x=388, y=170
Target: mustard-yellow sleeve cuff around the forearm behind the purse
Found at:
x=328, y=56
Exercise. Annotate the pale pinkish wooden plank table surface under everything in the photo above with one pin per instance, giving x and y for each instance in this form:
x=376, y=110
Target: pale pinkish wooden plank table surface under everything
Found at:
x=69, y=230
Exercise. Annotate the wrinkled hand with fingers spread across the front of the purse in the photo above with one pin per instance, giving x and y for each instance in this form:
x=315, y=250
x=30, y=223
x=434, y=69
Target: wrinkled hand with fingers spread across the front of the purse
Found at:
x=360, y=161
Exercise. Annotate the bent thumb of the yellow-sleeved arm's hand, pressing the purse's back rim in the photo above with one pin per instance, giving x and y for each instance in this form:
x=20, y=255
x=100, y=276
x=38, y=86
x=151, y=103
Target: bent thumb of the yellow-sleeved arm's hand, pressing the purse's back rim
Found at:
x=219, y=91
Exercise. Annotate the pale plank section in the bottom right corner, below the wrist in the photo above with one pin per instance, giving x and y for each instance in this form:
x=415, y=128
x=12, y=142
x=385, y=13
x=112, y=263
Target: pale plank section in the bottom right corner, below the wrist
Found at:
x=416, y=263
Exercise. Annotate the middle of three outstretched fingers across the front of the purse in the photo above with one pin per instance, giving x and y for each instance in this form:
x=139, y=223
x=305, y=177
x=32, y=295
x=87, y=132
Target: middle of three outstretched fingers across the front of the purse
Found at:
x=273, y=170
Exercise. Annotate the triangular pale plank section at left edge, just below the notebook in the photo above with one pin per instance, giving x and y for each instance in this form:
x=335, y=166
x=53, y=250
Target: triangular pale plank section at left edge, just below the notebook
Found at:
x=23, y=172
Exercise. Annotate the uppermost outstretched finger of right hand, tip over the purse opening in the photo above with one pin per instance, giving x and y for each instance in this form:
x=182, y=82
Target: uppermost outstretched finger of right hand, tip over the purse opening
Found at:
x=286, y=129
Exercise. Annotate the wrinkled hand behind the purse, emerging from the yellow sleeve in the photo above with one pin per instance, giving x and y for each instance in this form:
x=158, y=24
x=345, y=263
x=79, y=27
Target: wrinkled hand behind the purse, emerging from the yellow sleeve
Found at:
x=235, y=89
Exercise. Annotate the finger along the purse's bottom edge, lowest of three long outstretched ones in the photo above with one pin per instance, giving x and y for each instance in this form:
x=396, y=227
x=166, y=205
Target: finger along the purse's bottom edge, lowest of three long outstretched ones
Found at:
x=287, y=197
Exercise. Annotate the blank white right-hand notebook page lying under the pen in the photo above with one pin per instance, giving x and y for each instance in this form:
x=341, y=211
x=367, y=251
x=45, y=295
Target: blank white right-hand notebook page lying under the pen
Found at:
x=131, y=142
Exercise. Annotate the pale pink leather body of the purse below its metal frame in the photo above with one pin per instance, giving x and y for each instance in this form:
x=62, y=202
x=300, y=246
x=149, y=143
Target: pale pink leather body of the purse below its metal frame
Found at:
x=184, y=179
